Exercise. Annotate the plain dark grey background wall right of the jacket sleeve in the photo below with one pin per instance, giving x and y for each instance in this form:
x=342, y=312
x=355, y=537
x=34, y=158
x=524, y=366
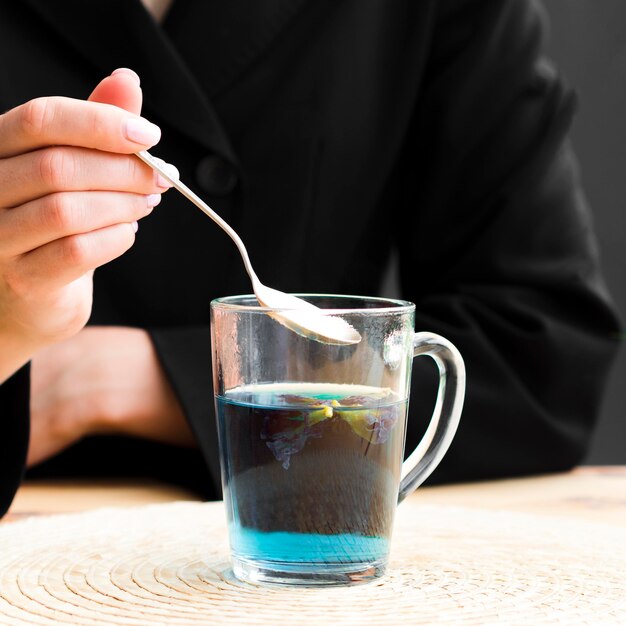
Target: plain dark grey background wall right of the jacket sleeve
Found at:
x=588, y=44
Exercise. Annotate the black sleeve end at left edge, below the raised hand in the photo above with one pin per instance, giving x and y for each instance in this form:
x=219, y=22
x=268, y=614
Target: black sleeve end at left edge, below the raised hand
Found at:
x=14, y=431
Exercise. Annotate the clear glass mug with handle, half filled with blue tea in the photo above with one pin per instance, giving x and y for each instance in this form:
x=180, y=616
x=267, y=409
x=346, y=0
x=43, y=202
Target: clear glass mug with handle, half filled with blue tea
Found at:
x=312, y=436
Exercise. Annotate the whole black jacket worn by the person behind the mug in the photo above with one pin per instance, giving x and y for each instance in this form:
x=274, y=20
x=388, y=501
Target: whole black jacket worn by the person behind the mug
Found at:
x=349, y=131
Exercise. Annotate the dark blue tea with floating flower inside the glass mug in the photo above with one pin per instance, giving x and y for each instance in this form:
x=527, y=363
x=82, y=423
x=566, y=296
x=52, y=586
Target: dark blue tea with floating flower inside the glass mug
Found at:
x=311, y=472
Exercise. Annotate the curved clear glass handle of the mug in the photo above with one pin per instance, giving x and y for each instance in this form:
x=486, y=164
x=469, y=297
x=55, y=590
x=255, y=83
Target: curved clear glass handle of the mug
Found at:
x=446, y=415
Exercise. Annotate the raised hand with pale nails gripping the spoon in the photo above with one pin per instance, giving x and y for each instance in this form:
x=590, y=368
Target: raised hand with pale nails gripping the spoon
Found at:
x=70, y=194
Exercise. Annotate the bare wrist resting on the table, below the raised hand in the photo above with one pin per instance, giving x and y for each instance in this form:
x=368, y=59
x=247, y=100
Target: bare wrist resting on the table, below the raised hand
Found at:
x=104, y=380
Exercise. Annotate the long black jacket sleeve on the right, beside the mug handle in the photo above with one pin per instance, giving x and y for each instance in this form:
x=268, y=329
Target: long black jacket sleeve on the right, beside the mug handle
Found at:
x=500, y=256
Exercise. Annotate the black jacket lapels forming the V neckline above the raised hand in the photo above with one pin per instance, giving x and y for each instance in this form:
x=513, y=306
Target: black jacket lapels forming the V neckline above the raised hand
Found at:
x=215, y=43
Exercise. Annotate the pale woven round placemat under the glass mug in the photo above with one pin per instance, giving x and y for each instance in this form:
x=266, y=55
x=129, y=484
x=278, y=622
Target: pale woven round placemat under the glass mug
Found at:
x=167, y=564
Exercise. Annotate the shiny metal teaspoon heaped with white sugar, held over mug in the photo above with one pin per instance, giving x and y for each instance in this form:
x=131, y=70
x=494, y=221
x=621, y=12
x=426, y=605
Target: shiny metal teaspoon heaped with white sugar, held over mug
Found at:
x=295, y=313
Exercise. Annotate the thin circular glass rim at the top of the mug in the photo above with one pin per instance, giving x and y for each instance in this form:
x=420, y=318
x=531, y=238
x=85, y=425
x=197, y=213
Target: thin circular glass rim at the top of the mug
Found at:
x=372, y=305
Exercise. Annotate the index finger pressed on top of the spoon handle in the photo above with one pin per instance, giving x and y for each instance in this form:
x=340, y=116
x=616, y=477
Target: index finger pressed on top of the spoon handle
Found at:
x=57, y=120
